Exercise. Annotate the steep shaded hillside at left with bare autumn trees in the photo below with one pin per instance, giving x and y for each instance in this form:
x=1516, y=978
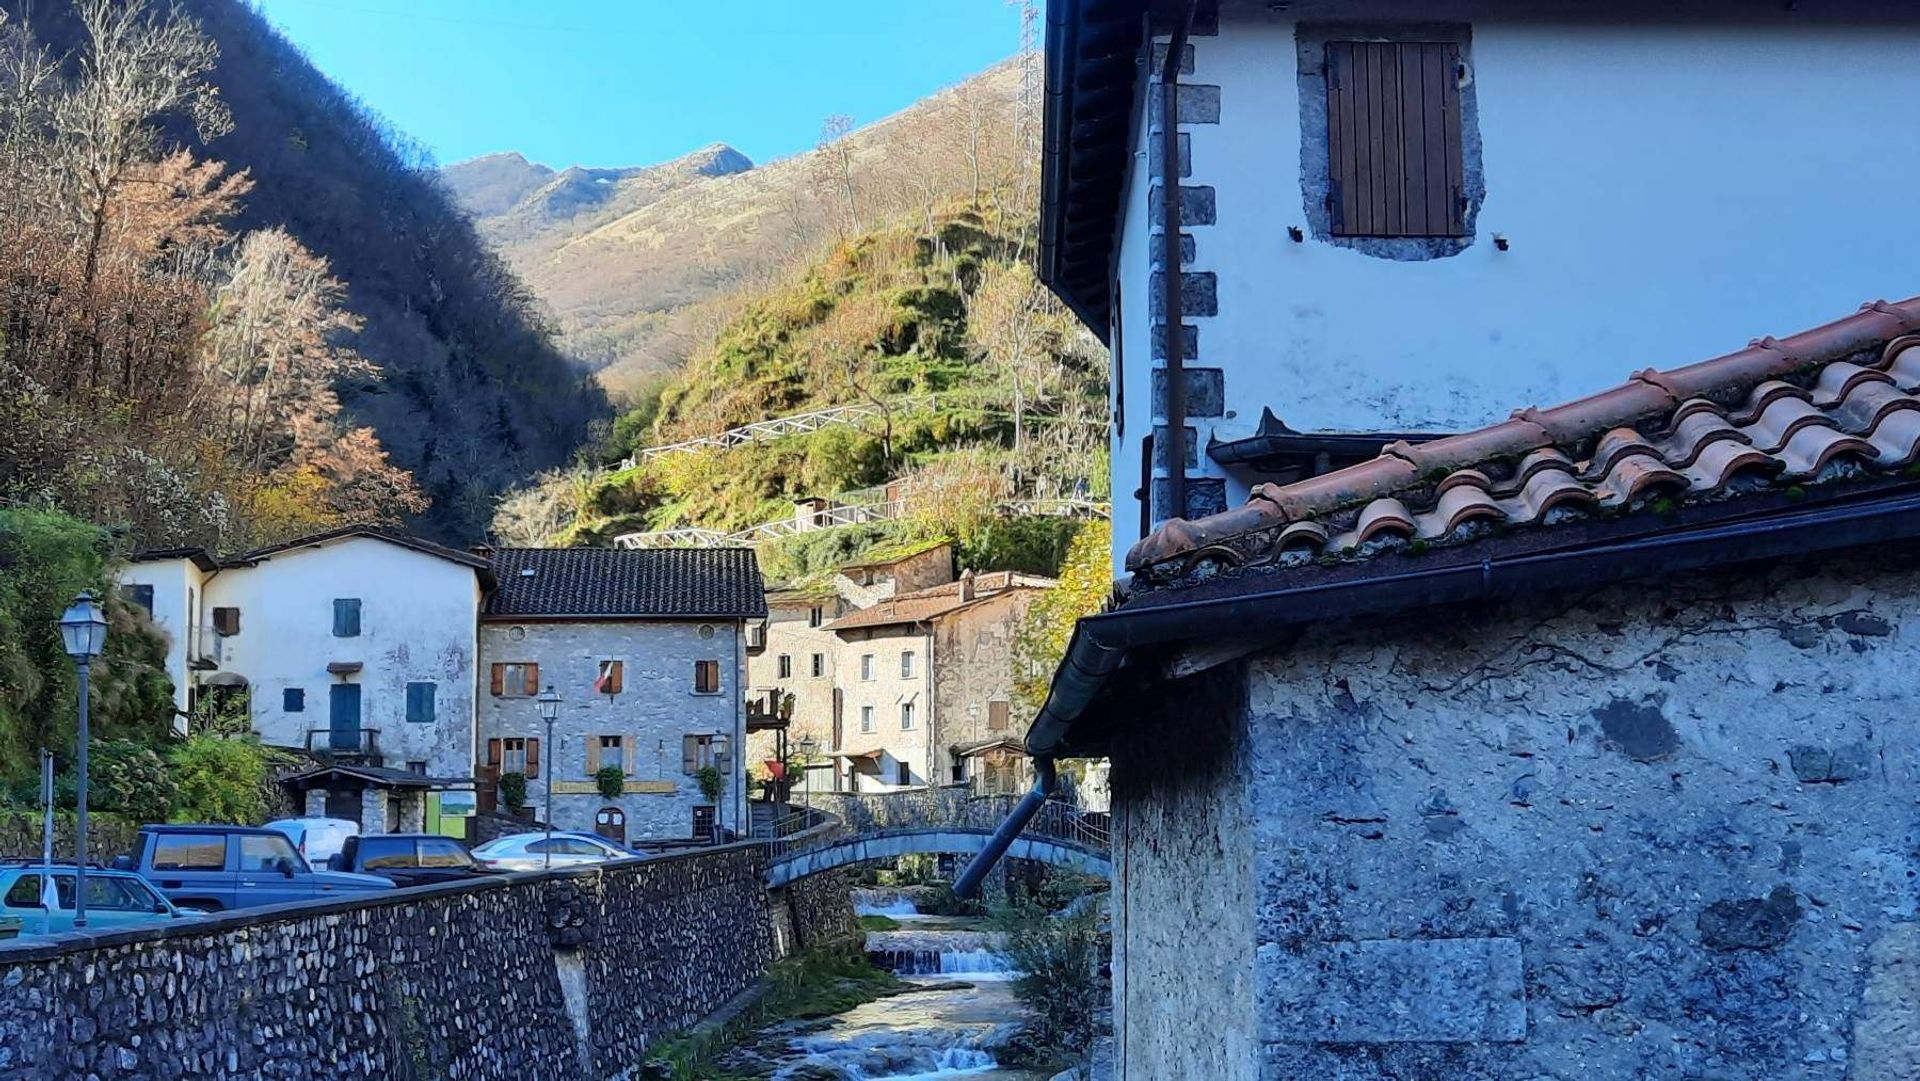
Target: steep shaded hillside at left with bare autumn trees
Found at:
x=281, y=191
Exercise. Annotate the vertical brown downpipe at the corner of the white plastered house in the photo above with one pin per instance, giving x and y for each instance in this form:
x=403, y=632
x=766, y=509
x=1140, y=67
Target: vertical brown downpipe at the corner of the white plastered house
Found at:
x=1170, y=264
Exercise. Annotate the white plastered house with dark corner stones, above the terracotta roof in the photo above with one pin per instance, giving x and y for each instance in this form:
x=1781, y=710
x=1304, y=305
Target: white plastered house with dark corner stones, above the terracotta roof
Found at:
x=1401, y=220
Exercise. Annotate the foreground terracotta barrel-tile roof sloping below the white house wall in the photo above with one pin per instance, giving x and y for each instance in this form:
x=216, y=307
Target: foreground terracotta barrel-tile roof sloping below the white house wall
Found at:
x=1835, y=400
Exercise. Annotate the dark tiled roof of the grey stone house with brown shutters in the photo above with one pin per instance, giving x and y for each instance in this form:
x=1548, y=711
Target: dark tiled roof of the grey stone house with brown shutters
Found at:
x=598, y=583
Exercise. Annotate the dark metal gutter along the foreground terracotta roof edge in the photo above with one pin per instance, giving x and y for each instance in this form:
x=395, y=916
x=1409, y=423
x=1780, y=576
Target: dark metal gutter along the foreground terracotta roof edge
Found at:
x=1103, y=644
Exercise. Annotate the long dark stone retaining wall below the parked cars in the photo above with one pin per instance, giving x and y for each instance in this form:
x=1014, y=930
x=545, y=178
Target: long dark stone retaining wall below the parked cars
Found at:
x=565, y=974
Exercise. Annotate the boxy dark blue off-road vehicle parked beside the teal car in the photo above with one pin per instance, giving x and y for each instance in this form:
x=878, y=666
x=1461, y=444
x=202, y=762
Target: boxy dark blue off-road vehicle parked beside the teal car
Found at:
x=233, y=867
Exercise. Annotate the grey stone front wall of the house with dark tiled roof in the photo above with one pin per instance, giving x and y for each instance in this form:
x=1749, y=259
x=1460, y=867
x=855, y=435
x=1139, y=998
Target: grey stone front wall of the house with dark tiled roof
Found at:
x=656, y=709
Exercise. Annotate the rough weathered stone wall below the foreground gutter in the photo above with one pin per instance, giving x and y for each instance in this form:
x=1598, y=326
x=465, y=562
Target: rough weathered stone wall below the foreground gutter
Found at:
x=1660, y=830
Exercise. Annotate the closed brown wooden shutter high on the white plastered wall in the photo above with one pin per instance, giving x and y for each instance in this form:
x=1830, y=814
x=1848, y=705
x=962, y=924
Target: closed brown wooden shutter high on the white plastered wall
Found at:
x=1393, y=139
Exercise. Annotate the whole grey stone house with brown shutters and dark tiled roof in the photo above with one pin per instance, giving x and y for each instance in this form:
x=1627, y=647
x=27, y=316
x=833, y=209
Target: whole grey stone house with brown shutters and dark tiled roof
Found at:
x=648, y=652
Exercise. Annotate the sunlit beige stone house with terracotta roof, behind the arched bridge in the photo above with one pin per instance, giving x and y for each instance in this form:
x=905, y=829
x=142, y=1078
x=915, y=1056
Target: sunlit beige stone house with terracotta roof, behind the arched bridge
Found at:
x=924, y=679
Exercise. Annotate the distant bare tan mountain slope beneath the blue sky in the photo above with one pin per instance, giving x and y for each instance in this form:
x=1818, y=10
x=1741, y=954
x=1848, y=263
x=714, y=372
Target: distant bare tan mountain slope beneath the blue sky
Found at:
x=642, y=276
